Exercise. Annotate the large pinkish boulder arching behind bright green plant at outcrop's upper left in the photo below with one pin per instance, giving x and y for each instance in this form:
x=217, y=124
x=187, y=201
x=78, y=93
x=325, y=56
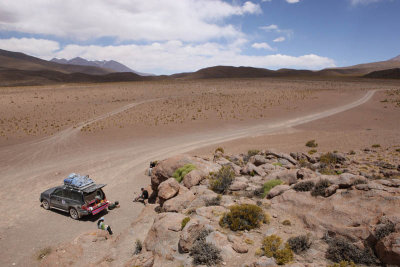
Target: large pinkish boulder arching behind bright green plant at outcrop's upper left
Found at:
x=166, y=168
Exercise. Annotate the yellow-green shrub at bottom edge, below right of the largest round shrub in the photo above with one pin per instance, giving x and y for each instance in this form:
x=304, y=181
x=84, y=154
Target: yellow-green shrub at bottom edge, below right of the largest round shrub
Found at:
x=271, y=248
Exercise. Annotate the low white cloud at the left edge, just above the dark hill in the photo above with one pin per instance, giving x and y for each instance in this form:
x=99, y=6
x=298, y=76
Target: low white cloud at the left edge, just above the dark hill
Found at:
x=31, y=46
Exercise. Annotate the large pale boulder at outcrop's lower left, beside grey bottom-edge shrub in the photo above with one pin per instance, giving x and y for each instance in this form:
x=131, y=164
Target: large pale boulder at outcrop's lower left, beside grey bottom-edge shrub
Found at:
x=163, y=236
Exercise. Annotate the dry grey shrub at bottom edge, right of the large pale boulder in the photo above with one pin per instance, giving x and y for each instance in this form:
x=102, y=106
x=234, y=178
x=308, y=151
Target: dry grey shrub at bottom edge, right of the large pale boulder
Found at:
x=203, y=252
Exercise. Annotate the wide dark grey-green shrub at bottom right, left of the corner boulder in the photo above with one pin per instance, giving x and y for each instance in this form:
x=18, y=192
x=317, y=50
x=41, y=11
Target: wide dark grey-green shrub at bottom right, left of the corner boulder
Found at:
x=342, y=250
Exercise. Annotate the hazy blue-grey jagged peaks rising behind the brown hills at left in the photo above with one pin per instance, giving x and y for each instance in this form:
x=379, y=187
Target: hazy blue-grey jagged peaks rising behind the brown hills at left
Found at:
x=111, y=65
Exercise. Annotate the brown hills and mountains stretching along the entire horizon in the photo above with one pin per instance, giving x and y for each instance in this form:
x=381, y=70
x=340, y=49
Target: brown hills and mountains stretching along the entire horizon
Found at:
x=19, y=69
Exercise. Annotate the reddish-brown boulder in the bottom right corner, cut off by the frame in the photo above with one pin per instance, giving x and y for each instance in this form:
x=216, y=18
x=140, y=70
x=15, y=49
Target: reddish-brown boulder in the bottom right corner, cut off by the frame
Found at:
x=388, y=249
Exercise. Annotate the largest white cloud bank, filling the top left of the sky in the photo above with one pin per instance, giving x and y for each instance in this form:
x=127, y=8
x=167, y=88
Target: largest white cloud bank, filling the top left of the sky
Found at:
x=151, y=20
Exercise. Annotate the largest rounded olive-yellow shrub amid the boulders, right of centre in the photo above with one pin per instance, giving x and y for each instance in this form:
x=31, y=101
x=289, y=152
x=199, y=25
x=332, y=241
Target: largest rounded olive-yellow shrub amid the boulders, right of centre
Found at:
x=243, y=217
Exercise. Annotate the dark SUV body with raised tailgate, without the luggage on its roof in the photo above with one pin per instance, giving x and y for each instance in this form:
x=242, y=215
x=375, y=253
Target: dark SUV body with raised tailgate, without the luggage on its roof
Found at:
x=76, y=201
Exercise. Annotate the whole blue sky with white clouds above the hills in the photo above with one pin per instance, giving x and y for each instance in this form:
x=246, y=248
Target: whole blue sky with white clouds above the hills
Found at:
x=170, y=36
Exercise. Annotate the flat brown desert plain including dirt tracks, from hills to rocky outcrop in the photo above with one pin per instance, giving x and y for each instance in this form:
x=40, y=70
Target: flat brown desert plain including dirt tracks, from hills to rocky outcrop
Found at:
x=112, y=131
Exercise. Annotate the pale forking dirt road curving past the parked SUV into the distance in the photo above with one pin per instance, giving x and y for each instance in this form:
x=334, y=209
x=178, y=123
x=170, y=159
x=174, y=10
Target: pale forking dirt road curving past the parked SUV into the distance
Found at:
x=28, y=169
